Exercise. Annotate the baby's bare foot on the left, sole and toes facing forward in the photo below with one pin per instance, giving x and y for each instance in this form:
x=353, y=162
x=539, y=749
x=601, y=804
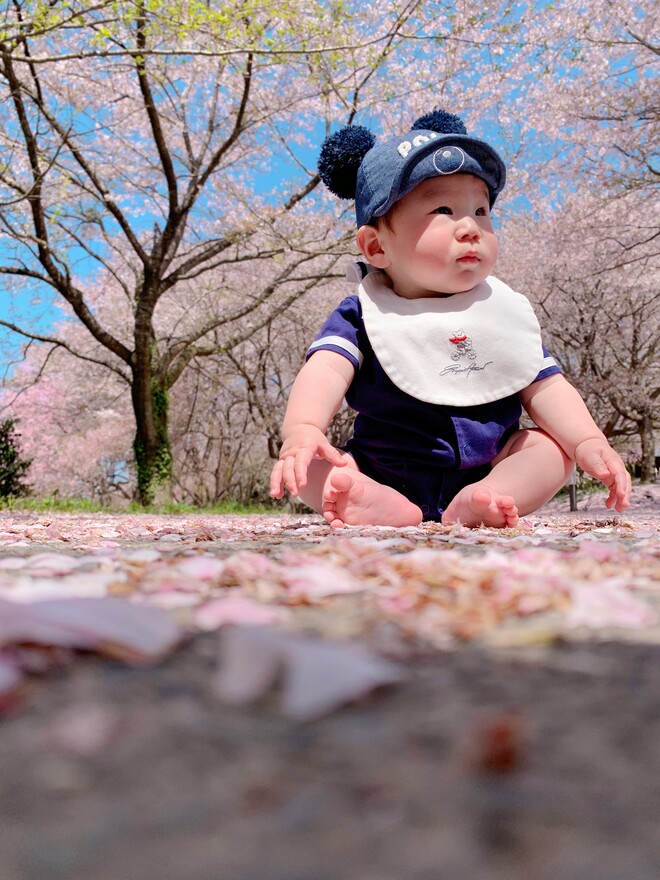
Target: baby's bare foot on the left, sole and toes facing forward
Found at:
x=357, y=501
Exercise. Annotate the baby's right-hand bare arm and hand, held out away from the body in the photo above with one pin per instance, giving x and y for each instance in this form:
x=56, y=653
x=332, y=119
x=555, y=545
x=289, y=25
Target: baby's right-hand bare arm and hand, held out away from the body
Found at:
x=557, y=408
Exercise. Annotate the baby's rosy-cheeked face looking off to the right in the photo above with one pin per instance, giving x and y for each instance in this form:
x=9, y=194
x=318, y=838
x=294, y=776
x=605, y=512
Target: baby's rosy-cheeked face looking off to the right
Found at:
x=441, y=238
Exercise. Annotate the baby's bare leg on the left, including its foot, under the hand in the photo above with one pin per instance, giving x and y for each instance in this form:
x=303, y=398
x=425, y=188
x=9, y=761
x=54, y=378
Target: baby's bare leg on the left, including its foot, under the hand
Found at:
x=344, y=496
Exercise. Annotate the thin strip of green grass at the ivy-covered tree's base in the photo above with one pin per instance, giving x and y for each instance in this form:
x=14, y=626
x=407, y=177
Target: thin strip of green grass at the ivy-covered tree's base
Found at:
x=84, y=505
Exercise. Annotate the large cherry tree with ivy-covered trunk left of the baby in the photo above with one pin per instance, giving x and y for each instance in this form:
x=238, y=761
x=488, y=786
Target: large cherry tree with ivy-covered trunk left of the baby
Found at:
x=139, y=138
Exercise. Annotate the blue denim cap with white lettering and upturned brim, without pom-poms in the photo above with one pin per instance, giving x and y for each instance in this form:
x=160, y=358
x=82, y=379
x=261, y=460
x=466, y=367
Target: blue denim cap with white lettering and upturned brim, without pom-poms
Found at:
x=391, y=170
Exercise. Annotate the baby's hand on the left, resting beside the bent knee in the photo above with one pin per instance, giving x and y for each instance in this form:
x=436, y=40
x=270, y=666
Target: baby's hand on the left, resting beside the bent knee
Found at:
x=301, y=446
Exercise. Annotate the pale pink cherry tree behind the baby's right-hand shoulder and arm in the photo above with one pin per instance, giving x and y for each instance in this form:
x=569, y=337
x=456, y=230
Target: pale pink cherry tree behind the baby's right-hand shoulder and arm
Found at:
x=593, y=269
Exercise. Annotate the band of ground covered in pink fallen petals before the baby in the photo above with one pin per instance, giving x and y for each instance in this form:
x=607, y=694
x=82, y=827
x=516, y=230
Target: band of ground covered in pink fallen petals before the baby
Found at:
x=134, y=586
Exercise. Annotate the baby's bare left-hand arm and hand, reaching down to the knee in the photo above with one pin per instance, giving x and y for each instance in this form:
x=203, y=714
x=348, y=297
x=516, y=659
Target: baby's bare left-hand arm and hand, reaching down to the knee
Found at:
x=315, y=398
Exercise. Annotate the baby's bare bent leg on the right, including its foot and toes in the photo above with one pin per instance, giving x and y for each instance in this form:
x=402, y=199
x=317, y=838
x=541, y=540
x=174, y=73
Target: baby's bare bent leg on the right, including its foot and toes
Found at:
x=529, y=471
